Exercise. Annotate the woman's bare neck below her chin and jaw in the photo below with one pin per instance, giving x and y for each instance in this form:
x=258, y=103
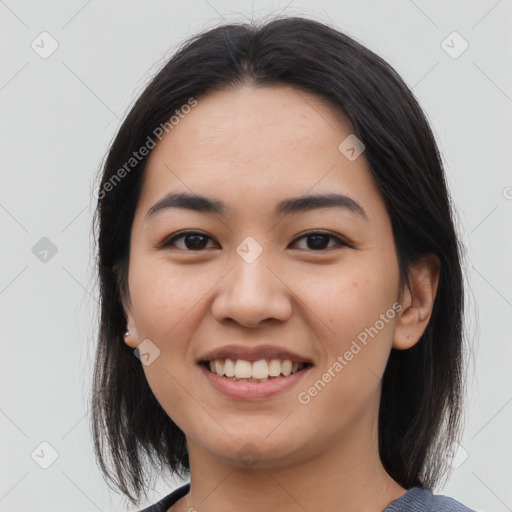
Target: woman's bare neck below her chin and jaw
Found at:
x=348, y=476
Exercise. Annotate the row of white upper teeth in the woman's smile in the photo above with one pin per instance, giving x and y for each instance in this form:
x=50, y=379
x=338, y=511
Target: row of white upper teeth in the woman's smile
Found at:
x=261, y=370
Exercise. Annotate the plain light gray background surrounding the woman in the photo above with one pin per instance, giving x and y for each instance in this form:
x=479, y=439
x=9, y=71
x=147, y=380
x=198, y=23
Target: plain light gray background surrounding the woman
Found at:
x=58, y=116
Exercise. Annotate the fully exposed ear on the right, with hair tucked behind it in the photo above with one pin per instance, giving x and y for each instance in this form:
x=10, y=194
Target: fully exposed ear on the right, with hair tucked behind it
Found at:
x=417, y=303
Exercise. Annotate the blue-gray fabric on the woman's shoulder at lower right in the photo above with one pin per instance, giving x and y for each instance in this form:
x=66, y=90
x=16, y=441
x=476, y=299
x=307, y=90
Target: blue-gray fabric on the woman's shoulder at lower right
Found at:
x=418, y=499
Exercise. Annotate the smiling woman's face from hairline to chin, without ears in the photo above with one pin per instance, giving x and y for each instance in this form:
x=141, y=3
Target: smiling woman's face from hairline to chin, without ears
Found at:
x=315, y=283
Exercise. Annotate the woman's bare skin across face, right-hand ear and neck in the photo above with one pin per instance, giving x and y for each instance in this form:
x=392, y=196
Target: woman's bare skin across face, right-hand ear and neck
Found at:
x=252, y=147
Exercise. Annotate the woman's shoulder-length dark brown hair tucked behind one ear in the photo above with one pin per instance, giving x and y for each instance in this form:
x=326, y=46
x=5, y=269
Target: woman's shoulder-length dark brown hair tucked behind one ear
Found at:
x=422, y=387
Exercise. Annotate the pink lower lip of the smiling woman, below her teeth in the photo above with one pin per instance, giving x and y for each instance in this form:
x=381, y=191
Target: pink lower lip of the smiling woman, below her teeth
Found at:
x=252, y=390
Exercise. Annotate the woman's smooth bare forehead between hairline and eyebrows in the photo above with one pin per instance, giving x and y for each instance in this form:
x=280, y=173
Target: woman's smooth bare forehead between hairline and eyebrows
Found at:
x=256, y=145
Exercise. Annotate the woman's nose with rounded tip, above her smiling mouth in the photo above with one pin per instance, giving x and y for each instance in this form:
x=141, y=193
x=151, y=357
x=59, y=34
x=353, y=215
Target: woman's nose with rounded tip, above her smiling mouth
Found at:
x=252, y=293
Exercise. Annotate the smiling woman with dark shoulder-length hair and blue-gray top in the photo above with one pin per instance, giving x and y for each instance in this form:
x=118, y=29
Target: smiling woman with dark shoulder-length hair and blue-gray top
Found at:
x=275, y=236
